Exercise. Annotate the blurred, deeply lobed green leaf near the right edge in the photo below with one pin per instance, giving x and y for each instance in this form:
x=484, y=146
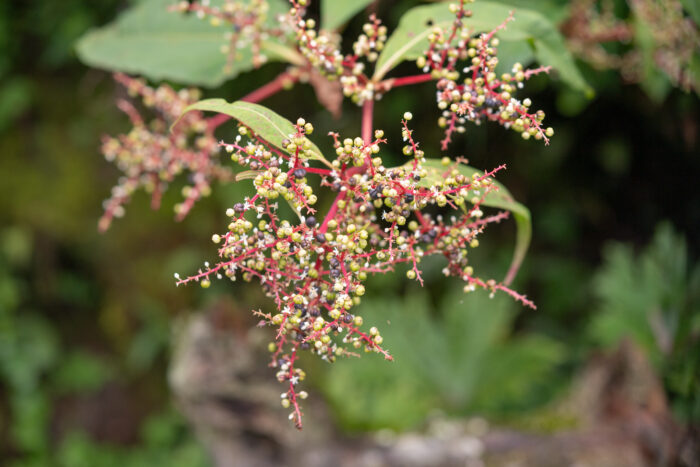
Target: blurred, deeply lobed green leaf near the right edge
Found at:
x=648, y=297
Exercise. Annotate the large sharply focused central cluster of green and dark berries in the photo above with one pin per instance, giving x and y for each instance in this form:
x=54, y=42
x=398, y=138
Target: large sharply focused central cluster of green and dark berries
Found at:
x=315, y=271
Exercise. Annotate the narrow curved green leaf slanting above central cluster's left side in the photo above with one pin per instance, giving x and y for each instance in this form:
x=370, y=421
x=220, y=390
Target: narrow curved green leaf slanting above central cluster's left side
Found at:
x=267, y=124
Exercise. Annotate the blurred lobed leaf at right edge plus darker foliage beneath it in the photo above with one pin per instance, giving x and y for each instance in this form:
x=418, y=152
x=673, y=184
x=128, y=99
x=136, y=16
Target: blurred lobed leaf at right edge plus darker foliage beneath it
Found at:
x=654, y=298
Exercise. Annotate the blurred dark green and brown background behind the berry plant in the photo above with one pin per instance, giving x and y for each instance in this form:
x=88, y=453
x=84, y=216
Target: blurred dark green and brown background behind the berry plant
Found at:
x=91, y=324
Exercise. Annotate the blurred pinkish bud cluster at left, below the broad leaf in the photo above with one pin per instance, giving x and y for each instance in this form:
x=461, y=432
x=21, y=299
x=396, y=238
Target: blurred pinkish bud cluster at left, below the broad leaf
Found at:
x=150, y=156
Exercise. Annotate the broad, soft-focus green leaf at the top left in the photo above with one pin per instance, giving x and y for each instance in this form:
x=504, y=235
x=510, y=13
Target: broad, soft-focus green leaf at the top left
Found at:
x=151, y=41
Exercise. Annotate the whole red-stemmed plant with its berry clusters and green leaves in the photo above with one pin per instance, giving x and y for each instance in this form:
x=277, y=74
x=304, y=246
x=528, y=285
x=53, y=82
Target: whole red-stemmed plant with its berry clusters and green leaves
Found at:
x=315, y=267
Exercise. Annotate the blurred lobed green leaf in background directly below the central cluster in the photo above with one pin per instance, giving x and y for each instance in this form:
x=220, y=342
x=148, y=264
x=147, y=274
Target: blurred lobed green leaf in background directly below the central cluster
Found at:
x=459, y=358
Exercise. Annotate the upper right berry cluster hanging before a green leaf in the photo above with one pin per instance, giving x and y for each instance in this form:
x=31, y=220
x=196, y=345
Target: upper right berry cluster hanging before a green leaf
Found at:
x=468, y=87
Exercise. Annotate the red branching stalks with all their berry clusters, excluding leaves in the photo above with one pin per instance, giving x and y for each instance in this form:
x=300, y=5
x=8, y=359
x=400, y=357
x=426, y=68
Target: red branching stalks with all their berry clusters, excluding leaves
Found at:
x=381, y=218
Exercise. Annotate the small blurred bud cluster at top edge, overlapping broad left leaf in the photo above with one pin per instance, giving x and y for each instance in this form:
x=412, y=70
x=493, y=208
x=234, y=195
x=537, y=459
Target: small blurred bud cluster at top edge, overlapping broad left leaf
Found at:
x=246, y=24
